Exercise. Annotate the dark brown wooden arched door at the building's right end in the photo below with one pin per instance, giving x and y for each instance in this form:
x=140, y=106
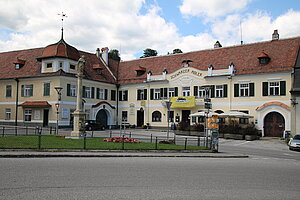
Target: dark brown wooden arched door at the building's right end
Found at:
x=274, y=125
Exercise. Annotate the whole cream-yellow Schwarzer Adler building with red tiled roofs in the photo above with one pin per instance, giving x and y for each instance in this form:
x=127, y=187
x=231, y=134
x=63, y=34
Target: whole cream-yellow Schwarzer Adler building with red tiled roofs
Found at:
x=253, y=78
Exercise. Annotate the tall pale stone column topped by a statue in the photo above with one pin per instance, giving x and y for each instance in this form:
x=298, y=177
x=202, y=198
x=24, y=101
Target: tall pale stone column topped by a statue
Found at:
x=78, y=127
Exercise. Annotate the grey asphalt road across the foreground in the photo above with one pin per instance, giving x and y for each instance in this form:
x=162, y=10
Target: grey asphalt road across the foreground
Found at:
x=149, y=178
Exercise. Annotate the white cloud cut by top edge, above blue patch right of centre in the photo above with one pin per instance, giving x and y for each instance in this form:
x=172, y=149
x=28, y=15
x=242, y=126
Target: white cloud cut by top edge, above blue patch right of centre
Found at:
x=211, y=8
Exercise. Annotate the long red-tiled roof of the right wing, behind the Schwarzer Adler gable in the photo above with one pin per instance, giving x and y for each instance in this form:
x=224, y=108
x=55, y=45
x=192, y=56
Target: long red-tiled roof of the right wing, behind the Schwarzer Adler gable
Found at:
x=282, y=52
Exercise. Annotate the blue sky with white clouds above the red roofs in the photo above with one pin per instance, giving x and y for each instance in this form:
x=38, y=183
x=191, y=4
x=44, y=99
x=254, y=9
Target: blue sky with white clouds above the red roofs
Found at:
x=131, y=26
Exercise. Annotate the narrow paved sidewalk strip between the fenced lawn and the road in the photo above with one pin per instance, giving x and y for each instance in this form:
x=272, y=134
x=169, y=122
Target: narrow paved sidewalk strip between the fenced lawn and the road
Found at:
x=20, y=153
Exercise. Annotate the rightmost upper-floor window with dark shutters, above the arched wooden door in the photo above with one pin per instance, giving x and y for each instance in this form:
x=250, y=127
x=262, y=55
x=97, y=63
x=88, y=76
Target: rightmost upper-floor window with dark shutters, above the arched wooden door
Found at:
x=275, y=88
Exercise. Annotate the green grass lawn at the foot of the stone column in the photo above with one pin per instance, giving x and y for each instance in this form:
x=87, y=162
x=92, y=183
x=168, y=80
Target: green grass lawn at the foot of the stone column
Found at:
x=56, y=142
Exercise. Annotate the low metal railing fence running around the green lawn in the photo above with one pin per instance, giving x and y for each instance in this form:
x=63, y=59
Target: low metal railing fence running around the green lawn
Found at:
x=45, y=138
